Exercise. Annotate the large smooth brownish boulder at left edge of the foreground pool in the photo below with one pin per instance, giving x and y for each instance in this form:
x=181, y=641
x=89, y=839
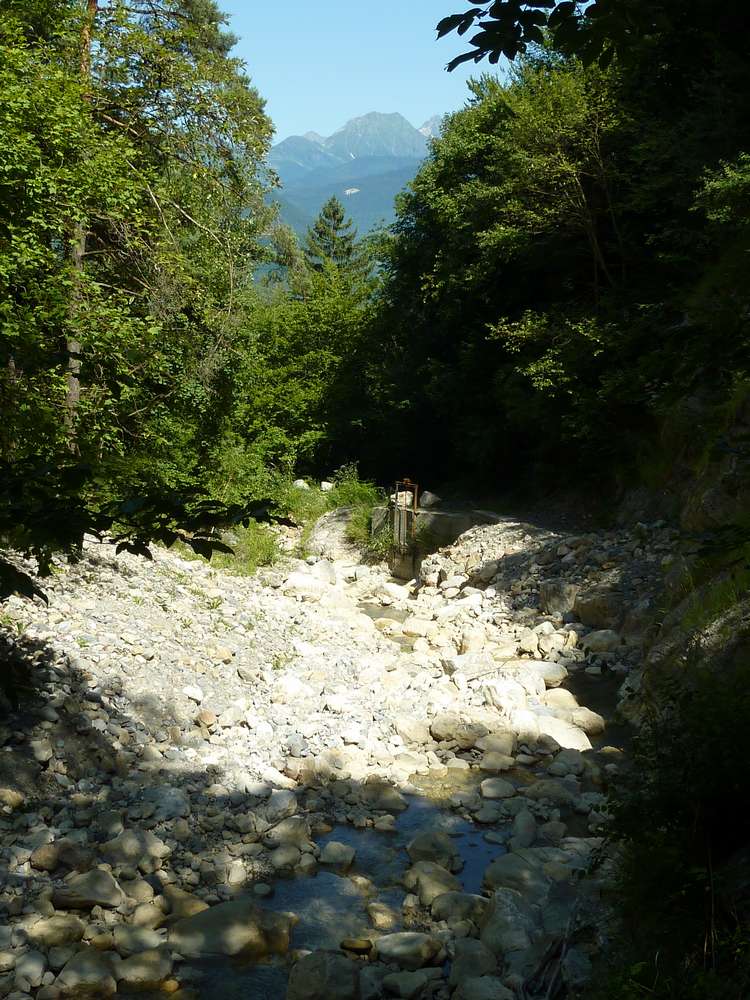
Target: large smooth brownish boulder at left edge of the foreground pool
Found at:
x=239, y=926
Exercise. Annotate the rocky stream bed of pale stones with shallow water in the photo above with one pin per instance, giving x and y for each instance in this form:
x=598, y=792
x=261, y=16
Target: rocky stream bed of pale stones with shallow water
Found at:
x=319, y=783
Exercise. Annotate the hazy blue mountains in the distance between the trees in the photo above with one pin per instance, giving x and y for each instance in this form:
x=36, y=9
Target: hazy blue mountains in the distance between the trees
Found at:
x=365, y=164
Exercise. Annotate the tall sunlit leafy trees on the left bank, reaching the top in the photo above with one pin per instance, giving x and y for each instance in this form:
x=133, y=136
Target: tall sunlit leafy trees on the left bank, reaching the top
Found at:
x=138, y=251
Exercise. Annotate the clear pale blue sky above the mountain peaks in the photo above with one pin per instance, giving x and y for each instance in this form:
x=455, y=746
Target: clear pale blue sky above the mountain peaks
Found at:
x=320, y=62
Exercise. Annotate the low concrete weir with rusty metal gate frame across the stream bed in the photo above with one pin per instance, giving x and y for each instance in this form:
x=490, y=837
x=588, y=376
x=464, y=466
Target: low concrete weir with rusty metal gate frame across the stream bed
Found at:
x=428, y=529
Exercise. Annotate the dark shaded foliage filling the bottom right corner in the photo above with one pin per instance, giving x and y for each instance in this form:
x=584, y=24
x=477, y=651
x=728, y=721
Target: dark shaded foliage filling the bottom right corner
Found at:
x=681, y=816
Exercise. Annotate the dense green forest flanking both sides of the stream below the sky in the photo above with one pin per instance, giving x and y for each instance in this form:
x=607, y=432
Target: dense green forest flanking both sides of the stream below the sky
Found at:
x=563, y=297
